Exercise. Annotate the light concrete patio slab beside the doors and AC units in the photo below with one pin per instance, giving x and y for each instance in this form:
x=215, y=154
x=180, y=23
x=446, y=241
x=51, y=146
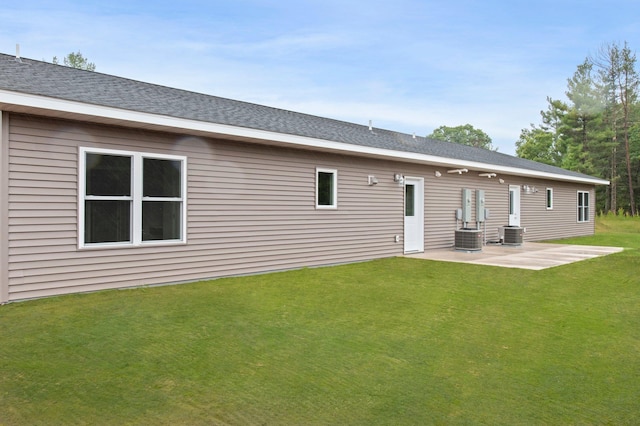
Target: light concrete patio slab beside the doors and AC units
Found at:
x=535, y=256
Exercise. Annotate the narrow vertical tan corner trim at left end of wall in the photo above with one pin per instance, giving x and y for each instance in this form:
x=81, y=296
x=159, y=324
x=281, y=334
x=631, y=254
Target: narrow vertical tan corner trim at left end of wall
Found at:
x=4, y=207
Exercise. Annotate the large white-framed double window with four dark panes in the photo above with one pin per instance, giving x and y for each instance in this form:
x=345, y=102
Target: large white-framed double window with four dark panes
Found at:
x=129, y=198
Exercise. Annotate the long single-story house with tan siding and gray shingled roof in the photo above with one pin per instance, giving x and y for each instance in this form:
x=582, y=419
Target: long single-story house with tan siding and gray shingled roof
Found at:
x=106, y=182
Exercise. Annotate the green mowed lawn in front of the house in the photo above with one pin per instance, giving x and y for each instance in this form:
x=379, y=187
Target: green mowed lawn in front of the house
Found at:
x=392, y=341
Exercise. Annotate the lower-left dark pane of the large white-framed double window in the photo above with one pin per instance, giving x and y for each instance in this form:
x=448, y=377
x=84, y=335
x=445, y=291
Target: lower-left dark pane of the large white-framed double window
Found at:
x=107, y=221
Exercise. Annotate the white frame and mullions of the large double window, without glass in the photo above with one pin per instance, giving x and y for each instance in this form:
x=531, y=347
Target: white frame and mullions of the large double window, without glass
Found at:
x=136, y=198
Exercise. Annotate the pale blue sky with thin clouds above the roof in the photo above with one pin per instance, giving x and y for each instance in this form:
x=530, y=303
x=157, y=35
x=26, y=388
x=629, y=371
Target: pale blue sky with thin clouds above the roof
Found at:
x=406, y=65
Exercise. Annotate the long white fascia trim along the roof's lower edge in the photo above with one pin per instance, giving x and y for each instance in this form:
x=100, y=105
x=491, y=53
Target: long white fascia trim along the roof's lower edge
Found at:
x=66, y=107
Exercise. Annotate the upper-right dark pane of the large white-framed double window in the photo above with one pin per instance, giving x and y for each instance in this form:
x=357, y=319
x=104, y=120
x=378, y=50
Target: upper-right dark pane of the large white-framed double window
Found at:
x=161, y=178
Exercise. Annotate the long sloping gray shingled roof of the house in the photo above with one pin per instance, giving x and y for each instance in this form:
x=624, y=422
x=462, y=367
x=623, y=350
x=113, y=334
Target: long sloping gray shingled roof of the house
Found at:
x=46, y=80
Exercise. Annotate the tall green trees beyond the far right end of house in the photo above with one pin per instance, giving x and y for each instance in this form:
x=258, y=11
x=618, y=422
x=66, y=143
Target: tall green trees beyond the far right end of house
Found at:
x=596, y=130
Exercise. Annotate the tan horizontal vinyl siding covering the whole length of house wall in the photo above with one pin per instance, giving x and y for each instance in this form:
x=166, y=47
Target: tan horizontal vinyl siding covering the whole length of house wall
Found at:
x=250, y=209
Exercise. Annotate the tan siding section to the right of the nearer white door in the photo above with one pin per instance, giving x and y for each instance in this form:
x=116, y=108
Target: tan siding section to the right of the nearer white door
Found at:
x=443, y=195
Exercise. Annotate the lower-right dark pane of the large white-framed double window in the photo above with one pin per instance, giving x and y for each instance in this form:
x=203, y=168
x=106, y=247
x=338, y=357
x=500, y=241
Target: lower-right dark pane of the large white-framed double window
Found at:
x=161, y=220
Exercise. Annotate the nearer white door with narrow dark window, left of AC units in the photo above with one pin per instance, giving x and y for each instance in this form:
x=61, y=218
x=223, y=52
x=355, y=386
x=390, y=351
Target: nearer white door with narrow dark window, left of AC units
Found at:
x=413, y=215
